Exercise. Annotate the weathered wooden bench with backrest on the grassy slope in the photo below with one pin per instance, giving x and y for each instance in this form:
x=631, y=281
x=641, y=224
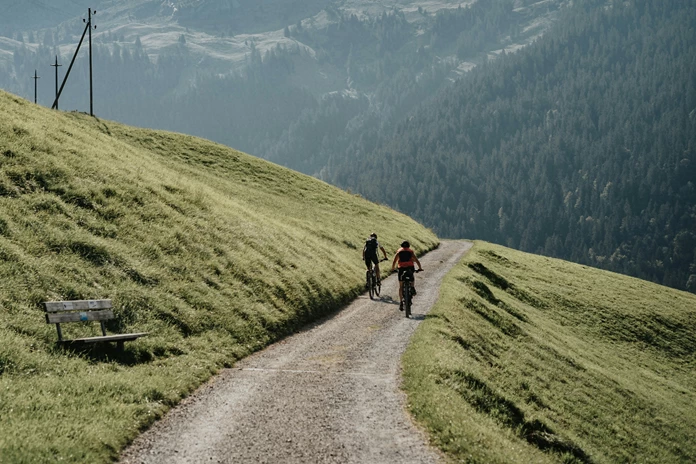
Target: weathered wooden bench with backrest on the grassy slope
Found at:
x=59, y=312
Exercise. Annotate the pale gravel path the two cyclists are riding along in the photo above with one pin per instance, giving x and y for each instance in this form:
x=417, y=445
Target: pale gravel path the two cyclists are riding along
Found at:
x=329, y=394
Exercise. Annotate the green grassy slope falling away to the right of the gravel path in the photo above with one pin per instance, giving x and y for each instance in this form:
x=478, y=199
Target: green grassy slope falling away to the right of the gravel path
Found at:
x=533, y=359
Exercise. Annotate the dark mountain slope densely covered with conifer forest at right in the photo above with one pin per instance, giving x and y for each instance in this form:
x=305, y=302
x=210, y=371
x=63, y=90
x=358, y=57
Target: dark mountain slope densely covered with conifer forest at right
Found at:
x=582, y=146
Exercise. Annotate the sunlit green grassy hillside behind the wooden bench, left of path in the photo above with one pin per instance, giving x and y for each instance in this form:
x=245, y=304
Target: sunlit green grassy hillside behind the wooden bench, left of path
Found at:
x=212, y=251
